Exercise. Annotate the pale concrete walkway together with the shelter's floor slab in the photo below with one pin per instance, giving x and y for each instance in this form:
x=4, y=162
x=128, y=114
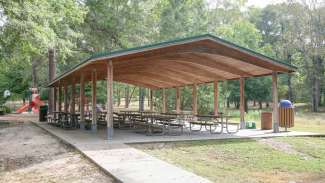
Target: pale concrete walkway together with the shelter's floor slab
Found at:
x=128, y=164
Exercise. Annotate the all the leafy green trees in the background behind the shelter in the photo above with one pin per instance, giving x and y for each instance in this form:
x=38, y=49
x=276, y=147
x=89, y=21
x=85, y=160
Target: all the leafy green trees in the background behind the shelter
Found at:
x=292, y=31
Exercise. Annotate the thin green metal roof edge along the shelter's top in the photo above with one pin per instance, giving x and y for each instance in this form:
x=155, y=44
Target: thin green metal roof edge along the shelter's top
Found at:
x=104, y=54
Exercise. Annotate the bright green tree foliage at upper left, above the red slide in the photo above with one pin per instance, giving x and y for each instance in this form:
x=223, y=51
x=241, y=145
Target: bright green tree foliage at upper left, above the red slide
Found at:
x=31, y=27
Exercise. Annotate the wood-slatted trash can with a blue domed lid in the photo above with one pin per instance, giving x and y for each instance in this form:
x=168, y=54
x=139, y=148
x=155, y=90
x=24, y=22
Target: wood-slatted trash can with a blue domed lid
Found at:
x=286, y=114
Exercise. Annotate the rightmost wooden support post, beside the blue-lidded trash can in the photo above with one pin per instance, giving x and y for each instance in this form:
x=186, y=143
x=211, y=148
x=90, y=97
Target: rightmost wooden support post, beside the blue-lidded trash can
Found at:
x=275, y=102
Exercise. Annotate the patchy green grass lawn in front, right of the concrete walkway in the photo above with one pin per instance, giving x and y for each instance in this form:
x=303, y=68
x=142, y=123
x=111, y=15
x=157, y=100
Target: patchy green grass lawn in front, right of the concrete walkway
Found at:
x=297, y=159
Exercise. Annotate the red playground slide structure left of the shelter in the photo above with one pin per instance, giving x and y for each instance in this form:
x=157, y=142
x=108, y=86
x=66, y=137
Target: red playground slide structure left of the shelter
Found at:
x=34, y=102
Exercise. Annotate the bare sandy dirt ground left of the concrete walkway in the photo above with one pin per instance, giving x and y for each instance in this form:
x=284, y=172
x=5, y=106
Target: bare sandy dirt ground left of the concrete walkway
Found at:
x=29, y=154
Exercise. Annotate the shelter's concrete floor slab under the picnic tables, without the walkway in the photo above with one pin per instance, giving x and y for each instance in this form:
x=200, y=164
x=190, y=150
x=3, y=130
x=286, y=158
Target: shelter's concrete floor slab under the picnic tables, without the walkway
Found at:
x=132, y=136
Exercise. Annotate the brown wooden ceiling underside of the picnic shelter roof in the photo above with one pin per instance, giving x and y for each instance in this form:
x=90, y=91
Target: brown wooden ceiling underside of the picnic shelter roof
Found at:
x=199, y=62
